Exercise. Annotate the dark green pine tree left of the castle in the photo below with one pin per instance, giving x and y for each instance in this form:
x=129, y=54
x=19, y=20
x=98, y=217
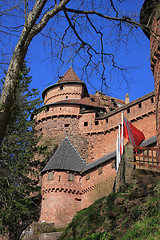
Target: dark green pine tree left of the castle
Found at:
x=18, y=170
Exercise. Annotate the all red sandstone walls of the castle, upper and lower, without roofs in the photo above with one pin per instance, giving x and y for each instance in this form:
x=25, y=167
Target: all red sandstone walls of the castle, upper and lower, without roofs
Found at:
x=93, y=133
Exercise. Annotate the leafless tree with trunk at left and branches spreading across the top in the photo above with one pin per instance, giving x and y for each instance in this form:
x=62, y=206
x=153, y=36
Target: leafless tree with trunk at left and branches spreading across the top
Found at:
x=81, y=25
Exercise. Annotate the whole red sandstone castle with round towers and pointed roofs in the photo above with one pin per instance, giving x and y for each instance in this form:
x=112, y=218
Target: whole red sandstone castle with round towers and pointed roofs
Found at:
x=85, y=128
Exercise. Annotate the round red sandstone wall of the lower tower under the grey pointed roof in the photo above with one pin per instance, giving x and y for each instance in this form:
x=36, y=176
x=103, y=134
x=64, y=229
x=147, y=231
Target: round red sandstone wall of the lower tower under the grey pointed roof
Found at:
x=60, y=199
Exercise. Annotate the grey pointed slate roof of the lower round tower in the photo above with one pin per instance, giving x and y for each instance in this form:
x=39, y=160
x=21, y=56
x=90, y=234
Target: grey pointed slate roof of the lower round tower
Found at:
x=65, y=158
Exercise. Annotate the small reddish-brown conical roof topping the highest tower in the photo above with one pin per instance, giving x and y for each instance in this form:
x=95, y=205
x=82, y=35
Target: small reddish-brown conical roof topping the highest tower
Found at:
x=69, y=76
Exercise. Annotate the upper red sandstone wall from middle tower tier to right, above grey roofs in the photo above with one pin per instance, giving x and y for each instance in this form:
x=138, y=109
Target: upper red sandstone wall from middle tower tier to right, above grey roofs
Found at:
x=94, y=141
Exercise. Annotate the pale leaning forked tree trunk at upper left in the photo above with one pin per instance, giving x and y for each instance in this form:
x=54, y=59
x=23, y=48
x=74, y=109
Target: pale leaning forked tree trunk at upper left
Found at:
x=30, y=30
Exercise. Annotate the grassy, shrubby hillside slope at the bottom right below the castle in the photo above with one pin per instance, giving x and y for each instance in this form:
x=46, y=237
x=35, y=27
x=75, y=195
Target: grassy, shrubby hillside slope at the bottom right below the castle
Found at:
x=134, y=214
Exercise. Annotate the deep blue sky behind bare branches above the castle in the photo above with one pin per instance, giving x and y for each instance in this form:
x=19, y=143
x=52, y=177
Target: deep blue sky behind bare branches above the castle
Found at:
x=136, y=56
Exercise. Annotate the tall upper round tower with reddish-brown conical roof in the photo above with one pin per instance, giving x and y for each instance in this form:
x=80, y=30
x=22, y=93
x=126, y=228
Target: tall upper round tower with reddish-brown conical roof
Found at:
x=68, y=108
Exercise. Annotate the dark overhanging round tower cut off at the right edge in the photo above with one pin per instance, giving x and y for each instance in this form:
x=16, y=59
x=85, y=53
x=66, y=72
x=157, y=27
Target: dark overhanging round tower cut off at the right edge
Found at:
x=150, y=21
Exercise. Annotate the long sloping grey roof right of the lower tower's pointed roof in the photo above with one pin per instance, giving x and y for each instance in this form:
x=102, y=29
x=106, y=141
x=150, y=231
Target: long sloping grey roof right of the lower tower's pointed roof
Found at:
x=99, y=161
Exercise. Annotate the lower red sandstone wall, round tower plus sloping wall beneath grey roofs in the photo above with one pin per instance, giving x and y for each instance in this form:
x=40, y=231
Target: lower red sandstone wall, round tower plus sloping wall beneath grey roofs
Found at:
x=61, y=199
